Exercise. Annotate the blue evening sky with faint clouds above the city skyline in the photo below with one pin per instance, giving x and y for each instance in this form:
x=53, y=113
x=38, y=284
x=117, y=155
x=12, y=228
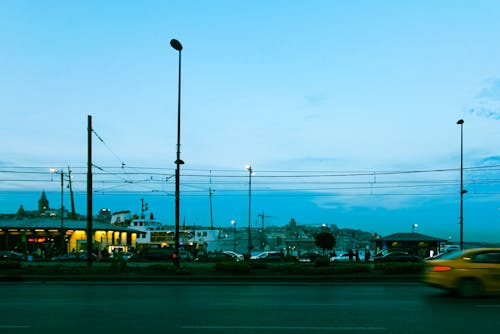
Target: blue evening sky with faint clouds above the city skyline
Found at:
x=346, y=110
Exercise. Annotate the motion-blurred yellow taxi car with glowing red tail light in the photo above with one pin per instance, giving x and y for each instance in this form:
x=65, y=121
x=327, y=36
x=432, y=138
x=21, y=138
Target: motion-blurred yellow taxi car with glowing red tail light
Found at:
x=467, y=273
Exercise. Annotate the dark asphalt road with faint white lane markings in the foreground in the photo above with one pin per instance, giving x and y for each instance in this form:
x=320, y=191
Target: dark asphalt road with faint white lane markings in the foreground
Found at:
x=77, y=308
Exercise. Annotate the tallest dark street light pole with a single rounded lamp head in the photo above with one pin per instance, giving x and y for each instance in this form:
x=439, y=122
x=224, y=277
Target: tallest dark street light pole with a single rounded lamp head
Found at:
x=177, y=46
